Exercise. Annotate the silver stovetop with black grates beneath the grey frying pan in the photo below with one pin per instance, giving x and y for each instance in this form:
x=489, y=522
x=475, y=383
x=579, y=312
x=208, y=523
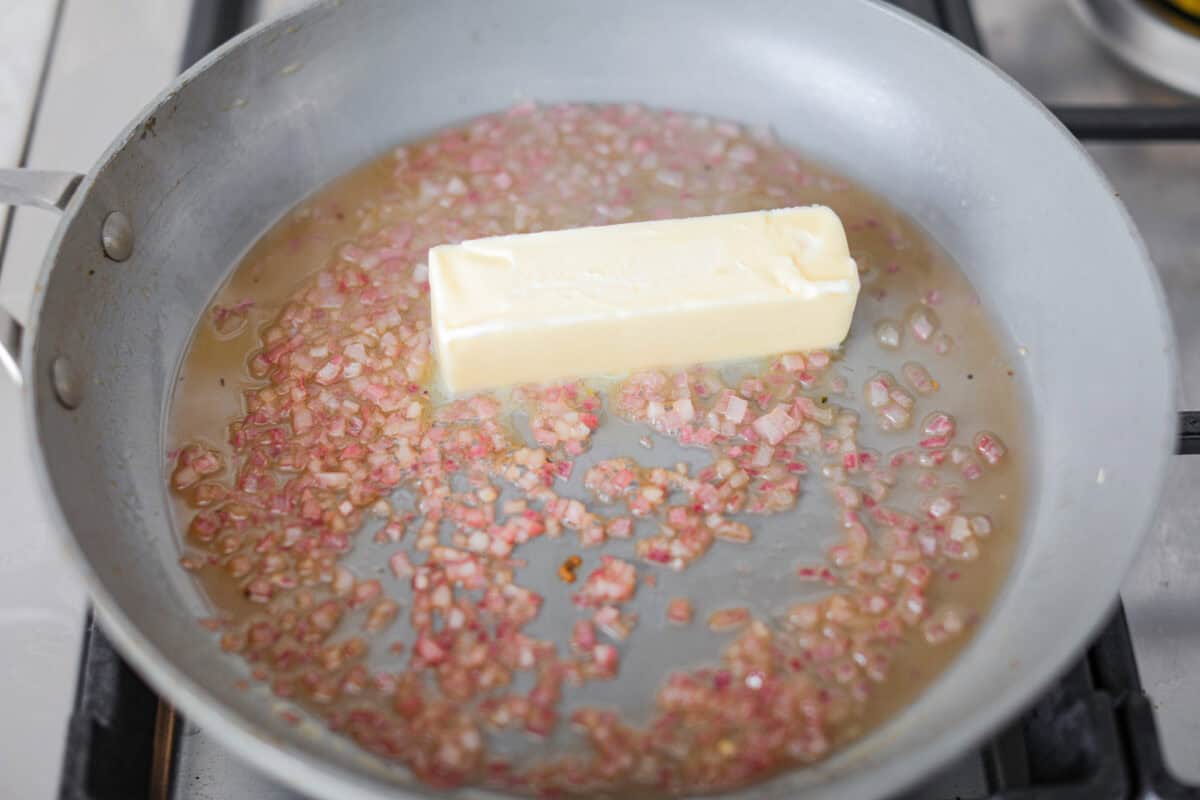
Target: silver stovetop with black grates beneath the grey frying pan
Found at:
x=1124, y=723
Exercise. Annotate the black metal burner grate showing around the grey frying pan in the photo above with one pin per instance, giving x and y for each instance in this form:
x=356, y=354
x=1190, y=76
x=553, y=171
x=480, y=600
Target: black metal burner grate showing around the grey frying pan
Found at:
x=1091, y=736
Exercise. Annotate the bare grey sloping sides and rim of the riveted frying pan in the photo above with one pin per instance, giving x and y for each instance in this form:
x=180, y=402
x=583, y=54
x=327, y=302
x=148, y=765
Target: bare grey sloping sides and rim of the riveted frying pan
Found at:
x=149, y=234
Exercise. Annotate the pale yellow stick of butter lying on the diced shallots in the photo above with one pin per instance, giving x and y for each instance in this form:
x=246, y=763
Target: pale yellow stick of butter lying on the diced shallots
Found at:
x=615, y=299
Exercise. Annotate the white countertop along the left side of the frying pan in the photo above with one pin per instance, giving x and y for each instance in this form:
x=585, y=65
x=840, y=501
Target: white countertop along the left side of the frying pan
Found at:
x=111, y=58
